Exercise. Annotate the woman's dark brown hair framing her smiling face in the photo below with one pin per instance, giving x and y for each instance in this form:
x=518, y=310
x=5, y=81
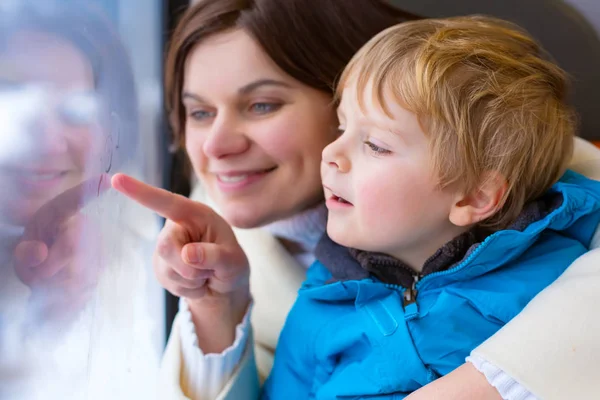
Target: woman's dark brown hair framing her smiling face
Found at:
x=311, y=40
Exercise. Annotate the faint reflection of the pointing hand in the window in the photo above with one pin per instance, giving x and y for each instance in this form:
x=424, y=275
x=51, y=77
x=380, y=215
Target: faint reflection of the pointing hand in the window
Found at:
x=56, y=254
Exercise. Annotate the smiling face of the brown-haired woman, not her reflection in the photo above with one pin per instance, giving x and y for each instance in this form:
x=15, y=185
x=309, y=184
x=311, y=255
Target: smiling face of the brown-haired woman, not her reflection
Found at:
x=254, y=135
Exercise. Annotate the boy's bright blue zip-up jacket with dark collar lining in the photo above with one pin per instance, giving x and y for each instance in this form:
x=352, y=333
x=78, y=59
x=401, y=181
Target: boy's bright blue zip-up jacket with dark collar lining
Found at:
x=355, y=339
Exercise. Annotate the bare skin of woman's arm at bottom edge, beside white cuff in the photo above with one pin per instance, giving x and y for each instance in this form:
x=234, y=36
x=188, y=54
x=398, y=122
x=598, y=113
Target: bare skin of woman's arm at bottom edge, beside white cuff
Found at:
x=464, y=383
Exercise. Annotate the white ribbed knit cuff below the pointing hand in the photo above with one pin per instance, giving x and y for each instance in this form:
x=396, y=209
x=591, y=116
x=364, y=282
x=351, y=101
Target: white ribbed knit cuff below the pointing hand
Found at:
x=203, y=376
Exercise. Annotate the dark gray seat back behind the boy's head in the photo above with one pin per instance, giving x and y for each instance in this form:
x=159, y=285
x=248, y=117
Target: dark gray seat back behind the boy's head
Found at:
x=569, y=37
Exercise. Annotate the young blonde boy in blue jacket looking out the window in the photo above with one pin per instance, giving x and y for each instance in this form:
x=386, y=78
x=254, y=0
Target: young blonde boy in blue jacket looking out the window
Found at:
x=446, y=206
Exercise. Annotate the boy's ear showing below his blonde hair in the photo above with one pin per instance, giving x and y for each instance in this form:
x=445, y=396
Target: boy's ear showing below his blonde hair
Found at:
x=481, y=203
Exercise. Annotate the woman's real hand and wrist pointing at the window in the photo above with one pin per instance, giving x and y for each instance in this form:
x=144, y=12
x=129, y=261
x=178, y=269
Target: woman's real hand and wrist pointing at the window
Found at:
x=197, y=257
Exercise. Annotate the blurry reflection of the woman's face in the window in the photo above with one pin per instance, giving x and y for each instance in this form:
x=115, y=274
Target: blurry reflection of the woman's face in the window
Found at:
x=52, y=128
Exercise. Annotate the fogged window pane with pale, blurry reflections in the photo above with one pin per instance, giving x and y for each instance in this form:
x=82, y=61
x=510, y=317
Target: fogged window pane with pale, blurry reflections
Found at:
x=80, y=314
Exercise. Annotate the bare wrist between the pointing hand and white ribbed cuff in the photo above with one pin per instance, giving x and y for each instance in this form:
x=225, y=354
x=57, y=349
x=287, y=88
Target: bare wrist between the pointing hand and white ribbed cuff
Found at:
x=216, y=317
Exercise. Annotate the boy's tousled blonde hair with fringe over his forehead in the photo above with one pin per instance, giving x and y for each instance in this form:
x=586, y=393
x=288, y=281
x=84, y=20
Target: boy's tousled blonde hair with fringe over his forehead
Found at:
x=486, y=97
